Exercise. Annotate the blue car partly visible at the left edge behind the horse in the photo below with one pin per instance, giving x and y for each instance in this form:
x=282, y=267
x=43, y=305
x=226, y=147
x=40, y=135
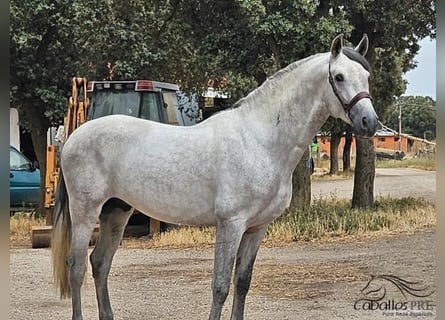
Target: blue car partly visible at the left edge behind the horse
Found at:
x=24, y=180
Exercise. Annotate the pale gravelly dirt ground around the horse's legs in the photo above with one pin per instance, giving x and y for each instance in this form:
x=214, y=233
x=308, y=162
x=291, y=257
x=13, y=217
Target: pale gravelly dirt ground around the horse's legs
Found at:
x=318, y=280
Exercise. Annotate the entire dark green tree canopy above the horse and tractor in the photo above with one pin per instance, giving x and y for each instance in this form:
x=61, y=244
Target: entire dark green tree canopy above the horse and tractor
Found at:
x=190, y=41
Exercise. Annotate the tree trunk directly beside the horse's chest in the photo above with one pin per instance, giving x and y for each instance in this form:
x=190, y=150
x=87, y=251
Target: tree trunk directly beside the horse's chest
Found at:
x=301, y=185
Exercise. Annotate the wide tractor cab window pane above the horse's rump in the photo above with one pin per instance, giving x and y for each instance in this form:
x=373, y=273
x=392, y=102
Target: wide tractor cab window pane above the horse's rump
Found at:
x=104, y=103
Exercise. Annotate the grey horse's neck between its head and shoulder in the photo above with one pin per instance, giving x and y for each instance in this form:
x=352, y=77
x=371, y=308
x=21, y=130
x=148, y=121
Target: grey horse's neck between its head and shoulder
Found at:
x=290, y=109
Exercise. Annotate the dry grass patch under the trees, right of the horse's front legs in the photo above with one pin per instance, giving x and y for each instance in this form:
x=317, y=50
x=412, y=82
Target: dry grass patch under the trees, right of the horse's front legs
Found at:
x=335, y=218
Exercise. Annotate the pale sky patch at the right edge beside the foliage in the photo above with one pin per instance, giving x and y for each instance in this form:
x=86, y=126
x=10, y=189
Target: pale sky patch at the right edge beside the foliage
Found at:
x=422, y=79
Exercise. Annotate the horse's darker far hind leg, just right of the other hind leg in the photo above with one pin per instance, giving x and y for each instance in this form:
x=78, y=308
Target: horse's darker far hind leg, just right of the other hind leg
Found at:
x=113, y=219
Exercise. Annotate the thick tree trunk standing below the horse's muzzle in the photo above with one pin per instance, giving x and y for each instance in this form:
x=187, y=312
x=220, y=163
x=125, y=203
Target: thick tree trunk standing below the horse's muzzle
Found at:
x=363, y=194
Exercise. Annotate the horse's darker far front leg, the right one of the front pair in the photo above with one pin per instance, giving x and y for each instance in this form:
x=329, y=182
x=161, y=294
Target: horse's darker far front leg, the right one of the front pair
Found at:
x=245, y=258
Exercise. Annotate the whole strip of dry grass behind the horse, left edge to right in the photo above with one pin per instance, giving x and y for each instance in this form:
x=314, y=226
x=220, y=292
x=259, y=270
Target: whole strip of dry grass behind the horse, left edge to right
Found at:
x=327, y=218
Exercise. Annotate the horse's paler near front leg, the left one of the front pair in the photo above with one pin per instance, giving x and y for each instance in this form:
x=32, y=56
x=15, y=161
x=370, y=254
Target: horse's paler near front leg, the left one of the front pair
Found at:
x=228, y=237
